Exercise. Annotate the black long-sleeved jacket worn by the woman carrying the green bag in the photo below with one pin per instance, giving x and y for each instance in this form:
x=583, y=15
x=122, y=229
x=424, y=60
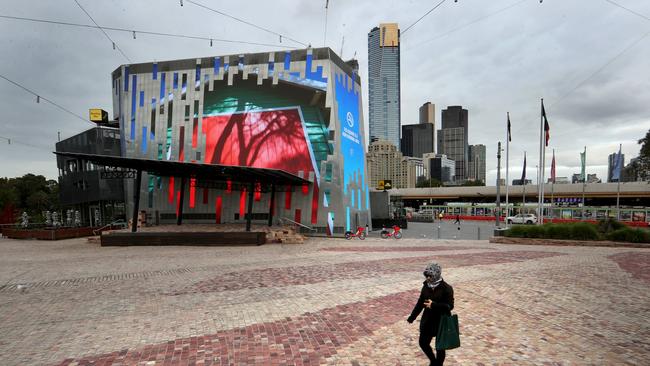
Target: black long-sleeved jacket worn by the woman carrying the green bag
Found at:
x=443, y=302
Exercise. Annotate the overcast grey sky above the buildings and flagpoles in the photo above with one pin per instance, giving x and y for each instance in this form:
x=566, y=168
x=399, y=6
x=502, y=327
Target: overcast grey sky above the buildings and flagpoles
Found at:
x=588, y=59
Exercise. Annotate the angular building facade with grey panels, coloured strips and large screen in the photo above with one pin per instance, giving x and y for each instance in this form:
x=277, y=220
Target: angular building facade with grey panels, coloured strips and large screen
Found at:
x=298, y=111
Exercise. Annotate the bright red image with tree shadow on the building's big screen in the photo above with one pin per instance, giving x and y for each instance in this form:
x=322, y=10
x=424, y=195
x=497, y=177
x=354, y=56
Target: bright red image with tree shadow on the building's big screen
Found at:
x=262, y=139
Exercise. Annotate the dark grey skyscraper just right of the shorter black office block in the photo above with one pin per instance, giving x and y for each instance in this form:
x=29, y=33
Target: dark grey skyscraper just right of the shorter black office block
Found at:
x=452, y=139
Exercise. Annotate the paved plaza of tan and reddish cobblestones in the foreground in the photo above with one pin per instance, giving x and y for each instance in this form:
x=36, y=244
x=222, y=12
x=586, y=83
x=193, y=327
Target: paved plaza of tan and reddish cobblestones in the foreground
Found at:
x=325, y=302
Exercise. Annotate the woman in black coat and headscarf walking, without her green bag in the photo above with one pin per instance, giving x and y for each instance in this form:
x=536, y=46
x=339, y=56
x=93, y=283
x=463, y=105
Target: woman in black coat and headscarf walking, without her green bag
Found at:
x=436, y=298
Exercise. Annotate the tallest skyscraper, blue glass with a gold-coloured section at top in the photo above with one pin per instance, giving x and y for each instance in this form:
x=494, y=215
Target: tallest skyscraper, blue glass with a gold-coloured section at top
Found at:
x=384, y=83
